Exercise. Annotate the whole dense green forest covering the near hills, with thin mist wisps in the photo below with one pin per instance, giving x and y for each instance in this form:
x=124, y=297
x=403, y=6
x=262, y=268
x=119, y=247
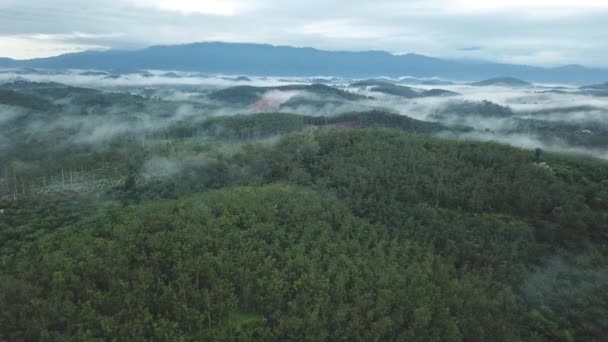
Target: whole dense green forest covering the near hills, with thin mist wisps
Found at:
x=360, y=226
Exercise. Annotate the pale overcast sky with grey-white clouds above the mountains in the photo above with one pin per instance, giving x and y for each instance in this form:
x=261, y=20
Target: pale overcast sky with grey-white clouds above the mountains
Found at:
x=537, y=32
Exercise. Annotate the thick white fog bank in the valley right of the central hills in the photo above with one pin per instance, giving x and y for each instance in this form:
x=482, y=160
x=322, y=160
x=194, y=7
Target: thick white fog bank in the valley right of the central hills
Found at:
x=582, y=114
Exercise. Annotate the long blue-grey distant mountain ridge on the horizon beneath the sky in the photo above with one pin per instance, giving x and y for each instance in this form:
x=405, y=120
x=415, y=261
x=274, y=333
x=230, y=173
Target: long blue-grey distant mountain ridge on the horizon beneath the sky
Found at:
x=269, y=60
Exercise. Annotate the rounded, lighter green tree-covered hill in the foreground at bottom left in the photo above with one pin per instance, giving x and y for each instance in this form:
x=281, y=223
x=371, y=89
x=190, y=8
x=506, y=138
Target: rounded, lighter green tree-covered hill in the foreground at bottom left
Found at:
x=300, y=263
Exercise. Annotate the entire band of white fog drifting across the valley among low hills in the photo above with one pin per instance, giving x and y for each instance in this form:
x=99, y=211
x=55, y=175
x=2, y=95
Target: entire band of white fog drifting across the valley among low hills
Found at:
x=566, y=121
